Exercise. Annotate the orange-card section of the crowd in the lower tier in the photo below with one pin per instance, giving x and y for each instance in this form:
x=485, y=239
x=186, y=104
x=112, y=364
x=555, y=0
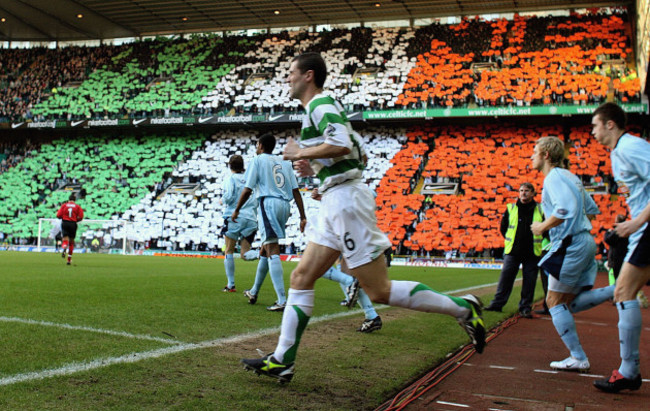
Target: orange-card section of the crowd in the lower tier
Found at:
x=487, y=163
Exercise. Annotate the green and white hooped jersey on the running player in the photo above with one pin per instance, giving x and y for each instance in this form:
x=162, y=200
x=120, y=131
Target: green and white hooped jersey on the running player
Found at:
x=326, y=122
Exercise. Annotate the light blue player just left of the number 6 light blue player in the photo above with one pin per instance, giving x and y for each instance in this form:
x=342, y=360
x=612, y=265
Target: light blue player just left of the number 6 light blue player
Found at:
x=245, y=228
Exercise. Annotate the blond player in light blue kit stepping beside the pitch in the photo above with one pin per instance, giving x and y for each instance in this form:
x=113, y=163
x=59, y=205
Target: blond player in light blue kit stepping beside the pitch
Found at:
x=570, y=262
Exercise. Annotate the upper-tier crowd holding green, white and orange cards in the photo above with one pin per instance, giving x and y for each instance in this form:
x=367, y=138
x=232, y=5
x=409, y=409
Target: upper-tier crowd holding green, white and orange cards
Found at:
x=576, y=59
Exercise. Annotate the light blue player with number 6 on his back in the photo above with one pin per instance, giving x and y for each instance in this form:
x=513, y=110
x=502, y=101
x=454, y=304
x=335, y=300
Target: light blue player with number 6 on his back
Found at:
x=275, y=183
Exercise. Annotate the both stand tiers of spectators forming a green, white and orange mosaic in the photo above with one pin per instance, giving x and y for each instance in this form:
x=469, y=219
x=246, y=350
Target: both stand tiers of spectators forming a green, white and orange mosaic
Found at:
x=439, y=188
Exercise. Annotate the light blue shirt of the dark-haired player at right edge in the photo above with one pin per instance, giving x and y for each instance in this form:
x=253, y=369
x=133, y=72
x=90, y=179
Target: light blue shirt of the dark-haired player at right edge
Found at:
x=631, y=170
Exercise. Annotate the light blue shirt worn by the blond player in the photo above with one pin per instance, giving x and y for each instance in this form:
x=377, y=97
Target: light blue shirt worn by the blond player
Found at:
x=564, y=197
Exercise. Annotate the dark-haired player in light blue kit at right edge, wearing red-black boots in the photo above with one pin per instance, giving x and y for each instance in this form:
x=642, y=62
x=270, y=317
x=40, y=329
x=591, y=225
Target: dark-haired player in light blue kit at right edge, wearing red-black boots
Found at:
x=631, y=170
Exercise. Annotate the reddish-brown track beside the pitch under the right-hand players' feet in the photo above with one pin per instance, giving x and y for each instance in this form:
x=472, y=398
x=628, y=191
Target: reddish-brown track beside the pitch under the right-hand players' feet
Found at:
x=513, y=372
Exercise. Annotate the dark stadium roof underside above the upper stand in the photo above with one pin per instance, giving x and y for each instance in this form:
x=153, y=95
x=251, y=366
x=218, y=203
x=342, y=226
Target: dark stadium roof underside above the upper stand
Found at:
x=51, y=20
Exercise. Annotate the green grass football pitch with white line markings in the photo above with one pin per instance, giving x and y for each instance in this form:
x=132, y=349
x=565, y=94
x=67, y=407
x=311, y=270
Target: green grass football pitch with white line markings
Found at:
x=135, y=332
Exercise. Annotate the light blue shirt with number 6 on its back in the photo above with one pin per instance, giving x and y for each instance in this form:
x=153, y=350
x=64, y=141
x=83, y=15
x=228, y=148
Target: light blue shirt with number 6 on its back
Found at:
x=270, y=176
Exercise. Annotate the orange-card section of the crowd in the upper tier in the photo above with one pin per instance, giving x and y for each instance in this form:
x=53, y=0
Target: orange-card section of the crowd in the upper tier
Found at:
x=524, y=62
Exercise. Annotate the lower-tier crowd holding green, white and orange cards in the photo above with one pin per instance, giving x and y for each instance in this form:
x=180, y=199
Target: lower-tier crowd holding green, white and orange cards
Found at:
x=125, y=178
